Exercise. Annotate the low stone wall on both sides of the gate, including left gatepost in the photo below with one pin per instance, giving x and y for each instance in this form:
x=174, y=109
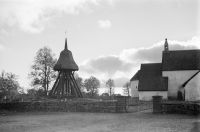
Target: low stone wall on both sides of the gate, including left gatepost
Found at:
x=119, y=105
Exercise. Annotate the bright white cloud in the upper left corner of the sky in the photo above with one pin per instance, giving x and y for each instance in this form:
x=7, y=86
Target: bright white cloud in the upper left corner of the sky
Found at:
x=33, y=15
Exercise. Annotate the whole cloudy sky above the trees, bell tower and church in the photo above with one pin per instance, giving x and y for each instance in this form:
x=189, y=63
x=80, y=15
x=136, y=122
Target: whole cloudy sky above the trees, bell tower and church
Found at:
x=108, y=38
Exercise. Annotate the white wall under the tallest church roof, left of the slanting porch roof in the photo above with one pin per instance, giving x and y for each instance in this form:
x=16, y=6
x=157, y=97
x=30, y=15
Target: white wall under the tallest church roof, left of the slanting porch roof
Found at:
x=176, y=79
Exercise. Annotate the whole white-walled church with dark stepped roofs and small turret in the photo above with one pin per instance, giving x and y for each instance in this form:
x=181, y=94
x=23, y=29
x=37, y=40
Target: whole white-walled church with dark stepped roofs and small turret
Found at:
x=177, y=77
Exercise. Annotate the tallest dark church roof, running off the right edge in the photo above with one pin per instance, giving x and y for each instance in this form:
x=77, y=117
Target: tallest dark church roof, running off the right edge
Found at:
x=181, y=60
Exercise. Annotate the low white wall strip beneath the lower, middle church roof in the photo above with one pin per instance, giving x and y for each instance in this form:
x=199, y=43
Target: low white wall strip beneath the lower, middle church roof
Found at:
x=147, y=95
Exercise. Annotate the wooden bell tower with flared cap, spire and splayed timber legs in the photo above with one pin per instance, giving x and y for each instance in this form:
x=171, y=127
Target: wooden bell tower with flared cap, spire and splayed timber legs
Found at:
x=65, y=84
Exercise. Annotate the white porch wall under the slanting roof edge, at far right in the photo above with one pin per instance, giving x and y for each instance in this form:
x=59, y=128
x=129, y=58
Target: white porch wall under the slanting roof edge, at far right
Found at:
x=192, y=89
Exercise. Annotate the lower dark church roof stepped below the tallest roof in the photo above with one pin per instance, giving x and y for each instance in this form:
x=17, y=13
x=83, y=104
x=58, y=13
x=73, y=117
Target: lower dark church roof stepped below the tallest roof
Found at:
x=151, y=79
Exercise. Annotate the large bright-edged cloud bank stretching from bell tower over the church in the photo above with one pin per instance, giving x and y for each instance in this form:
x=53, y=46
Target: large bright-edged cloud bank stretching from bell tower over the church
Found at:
x=123, y=66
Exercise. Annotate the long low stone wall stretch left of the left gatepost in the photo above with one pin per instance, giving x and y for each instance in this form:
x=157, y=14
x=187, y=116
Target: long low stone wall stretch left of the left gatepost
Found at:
x=101, y=106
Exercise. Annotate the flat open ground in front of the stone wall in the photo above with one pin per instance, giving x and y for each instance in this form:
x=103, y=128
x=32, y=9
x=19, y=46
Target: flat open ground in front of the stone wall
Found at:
x=98, y=122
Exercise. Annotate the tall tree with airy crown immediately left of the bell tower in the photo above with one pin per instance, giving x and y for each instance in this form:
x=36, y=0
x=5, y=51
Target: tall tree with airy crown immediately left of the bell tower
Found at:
x=42, y=73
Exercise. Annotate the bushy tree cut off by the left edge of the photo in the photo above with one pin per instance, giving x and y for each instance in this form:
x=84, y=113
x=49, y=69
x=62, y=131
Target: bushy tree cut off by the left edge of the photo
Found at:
x=9, y=85
